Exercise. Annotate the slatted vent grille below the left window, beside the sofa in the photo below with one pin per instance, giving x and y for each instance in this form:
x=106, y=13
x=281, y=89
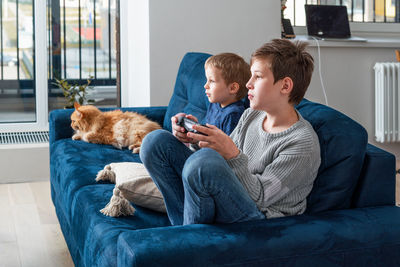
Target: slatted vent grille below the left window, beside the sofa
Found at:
x=24, y=138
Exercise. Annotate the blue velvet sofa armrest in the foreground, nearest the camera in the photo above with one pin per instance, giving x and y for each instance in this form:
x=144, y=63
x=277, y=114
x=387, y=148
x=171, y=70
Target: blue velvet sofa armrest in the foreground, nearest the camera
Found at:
x=341, y=236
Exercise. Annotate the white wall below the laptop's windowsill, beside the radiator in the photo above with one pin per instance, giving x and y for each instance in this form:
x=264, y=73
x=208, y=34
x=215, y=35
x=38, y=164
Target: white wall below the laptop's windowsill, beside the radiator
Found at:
x=350, y=84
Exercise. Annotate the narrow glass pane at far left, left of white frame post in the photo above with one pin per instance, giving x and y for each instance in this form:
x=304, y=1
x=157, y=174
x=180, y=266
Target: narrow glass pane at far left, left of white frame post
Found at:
x=17, y=63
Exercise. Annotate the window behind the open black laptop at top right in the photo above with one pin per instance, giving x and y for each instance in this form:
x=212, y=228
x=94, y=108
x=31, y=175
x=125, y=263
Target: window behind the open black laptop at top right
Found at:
x=374, y=11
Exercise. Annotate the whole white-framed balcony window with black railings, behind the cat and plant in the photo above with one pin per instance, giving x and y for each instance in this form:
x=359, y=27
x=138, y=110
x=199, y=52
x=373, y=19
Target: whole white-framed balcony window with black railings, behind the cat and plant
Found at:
x=44, y=39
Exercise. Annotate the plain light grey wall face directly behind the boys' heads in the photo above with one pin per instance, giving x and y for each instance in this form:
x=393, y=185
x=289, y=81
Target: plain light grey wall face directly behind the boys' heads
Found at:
x=212, y=26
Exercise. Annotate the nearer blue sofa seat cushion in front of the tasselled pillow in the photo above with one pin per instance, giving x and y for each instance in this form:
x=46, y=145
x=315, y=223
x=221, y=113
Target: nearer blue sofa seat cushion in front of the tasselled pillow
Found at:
x=95, y=234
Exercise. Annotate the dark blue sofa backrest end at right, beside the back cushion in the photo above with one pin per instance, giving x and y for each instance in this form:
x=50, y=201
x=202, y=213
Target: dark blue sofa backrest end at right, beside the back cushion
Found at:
x=377, y=182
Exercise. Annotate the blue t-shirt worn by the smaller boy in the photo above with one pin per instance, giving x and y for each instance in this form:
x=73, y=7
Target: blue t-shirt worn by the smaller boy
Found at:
x=225, y=118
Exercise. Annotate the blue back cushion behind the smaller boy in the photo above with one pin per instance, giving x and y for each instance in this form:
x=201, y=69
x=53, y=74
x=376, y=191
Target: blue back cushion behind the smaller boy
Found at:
x=188, y=95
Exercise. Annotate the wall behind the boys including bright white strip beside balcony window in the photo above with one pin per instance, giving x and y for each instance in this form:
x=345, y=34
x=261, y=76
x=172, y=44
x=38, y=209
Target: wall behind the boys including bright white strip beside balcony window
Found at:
x=176, y=27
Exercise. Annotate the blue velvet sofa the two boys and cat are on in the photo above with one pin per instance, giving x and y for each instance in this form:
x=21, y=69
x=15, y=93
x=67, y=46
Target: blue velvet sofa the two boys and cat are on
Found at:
x=351, y=217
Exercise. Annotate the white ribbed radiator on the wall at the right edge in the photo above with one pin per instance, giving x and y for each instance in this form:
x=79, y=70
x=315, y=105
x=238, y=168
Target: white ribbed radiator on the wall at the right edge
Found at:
x=387, y=99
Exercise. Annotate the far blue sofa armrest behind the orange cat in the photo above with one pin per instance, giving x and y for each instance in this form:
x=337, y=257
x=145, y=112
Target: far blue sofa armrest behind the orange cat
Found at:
x=60, y=122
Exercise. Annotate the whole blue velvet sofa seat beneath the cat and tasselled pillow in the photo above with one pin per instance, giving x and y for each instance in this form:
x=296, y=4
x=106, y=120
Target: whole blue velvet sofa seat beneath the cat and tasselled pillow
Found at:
x=92, y=236
